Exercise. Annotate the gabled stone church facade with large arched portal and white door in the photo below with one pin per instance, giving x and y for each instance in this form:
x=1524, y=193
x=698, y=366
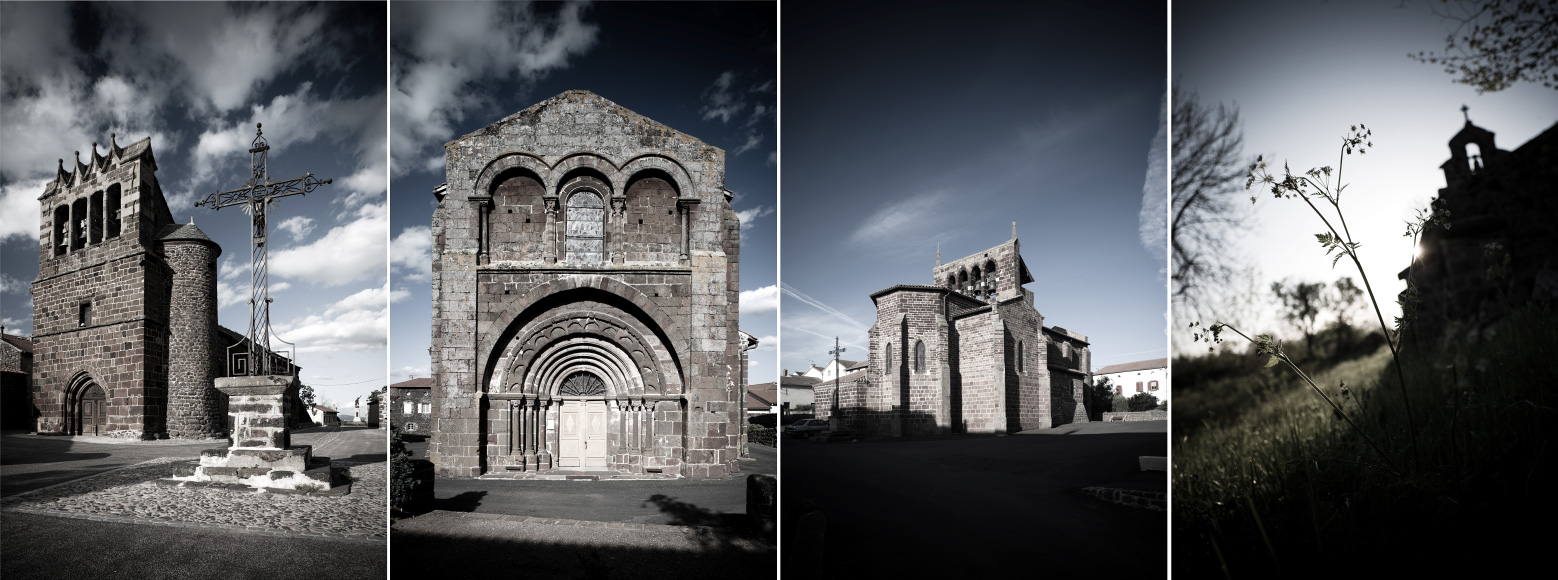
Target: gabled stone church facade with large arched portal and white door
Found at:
x=585, y=299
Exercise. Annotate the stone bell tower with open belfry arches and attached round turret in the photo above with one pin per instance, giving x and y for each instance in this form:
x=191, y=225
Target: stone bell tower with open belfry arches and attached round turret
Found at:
x=115, y=352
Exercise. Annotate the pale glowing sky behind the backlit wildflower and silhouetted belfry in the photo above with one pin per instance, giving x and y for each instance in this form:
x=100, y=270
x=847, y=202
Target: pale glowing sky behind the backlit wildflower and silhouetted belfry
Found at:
x=1344, y=63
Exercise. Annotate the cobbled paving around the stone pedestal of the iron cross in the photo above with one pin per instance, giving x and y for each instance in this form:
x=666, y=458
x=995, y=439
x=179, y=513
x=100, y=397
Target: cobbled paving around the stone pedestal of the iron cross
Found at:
x=129, y=495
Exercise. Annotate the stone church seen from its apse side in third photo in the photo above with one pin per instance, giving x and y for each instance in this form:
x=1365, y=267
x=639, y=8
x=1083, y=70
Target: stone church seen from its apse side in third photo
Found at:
x=967, y=355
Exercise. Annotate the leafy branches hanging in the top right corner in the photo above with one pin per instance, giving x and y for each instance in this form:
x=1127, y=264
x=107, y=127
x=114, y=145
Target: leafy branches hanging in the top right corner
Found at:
x=1500, y=43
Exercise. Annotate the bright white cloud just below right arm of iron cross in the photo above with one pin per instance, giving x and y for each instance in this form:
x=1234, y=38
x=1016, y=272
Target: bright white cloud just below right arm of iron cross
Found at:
x=350, y=253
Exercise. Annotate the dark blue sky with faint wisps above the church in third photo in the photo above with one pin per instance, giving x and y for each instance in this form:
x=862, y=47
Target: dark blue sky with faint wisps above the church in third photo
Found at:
x=931, y=126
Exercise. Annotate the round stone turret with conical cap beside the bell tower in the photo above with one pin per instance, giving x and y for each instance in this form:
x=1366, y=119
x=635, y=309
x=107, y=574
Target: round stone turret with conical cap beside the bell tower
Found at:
x=197, y=408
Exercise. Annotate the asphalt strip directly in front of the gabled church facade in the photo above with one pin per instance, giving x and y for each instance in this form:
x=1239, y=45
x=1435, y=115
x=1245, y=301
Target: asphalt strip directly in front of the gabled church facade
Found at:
x=680, y=501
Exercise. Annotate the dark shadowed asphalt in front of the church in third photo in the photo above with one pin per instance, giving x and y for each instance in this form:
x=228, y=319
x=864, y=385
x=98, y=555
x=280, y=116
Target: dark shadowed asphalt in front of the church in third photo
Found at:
x=976, y=507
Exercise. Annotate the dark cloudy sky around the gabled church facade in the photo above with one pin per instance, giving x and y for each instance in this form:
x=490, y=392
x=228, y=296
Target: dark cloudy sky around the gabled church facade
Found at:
x=705, y=69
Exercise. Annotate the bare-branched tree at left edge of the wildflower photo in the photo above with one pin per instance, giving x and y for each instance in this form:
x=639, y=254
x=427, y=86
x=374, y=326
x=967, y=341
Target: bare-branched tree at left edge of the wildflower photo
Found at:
x=1208, y=168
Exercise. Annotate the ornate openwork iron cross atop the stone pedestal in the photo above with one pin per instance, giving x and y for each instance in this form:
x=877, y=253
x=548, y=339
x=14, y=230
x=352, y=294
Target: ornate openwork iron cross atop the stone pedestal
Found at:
x=256, y=199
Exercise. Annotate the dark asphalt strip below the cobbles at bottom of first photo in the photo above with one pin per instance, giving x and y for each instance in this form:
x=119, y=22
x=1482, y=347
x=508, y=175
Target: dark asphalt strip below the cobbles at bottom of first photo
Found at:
x=62, y=548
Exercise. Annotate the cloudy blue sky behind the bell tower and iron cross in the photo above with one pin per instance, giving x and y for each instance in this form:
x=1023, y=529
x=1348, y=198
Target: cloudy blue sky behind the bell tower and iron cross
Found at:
x=197, y=79
